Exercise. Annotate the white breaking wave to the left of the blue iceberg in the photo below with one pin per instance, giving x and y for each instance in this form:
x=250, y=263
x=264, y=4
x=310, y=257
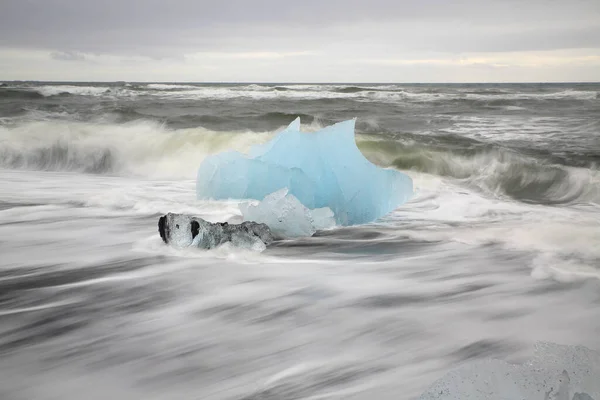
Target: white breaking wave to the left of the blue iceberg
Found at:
x=139, y=148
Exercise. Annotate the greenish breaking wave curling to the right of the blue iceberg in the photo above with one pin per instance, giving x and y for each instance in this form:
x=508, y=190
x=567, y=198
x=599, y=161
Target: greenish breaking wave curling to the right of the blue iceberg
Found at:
x=501, y=172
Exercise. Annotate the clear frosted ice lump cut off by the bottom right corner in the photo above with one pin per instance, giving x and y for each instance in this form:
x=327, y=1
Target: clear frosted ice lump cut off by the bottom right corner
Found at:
x=555, y=373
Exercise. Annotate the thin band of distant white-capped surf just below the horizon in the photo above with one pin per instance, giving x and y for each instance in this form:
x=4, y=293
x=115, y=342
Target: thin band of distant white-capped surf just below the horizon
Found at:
x=378, y=93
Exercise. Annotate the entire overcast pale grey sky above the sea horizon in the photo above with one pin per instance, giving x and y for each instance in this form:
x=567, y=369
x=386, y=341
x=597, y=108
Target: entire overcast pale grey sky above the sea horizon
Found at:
x=300, y=41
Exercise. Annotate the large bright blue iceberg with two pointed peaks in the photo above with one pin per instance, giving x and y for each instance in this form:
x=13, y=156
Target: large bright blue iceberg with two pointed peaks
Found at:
x=320, y=169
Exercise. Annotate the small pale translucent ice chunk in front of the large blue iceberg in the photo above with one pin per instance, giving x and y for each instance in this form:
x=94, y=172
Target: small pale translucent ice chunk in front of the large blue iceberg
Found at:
x=286, y=216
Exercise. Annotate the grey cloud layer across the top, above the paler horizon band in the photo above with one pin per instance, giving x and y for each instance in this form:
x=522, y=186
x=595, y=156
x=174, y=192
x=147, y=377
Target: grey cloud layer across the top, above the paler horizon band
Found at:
x=161, y=28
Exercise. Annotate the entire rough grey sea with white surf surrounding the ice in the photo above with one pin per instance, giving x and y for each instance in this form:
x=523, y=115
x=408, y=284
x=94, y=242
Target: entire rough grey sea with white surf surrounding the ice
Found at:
x=499, y=248
